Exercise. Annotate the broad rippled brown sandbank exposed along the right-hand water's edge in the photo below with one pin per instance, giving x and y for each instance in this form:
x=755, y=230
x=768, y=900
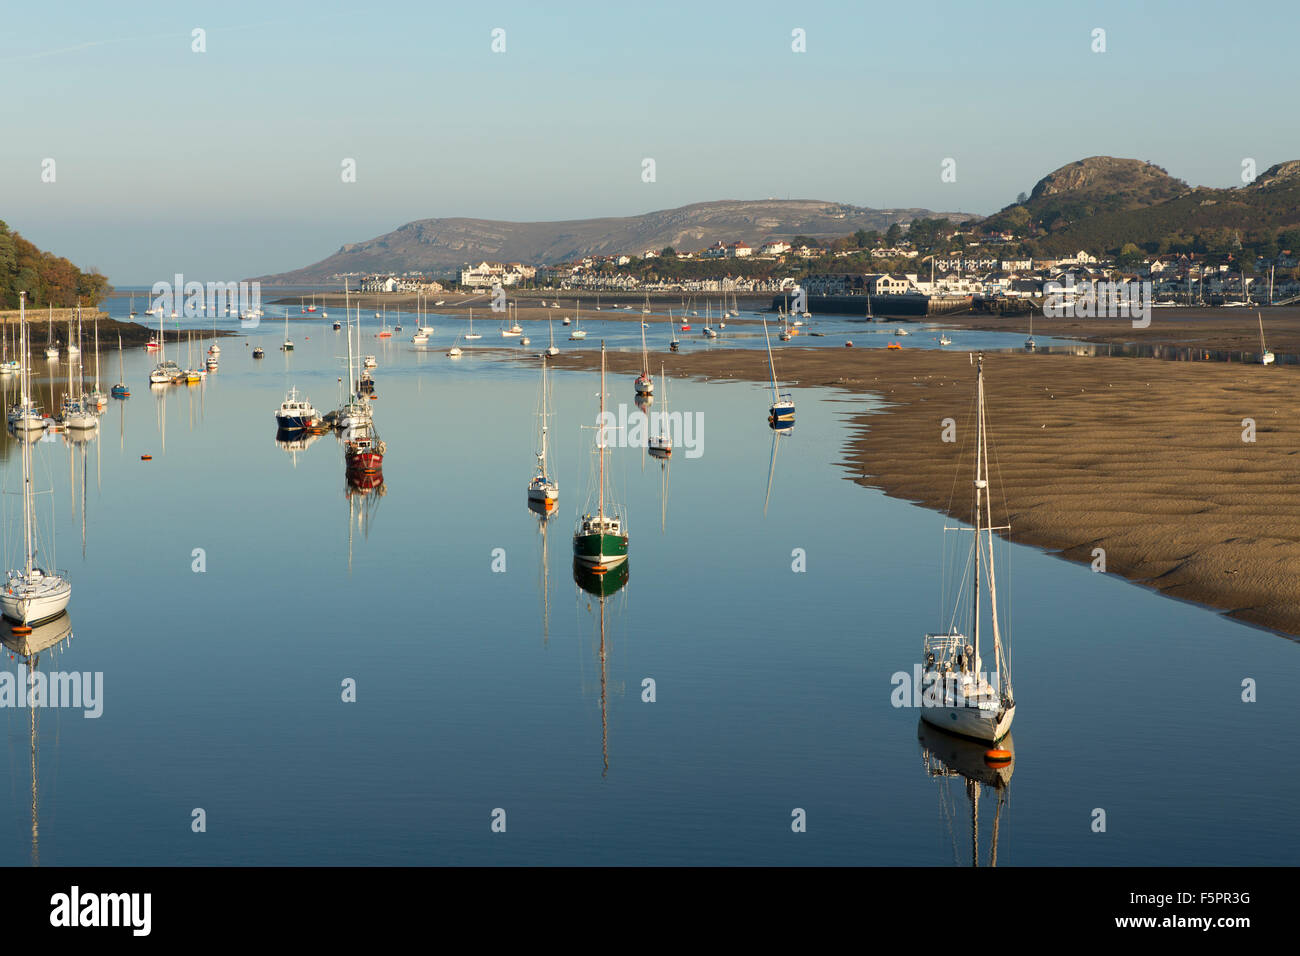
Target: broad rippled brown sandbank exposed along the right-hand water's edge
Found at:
x=1142, y=458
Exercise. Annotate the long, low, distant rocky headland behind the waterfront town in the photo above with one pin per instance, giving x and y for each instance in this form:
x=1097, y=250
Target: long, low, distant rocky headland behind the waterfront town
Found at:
x=441, y=246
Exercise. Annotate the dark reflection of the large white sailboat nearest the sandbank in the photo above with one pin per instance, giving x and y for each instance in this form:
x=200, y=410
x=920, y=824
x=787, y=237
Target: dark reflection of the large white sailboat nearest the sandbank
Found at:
x=947, y=759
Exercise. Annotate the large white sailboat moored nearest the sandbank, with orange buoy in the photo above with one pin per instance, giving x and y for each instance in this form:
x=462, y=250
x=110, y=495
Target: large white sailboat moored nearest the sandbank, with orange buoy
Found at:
x=967, y=702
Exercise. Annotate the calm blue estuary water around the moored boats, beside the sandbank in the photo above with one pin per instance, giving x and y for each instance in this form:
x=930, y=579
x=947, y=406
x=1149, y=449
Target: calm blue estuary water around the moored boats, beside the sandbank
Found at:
x=480, y=690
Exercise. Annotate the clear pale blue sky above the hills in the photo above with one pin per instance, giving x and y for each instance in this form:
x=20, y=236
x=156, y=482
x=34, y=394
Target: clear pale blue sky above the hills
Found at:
x=229, y=163
